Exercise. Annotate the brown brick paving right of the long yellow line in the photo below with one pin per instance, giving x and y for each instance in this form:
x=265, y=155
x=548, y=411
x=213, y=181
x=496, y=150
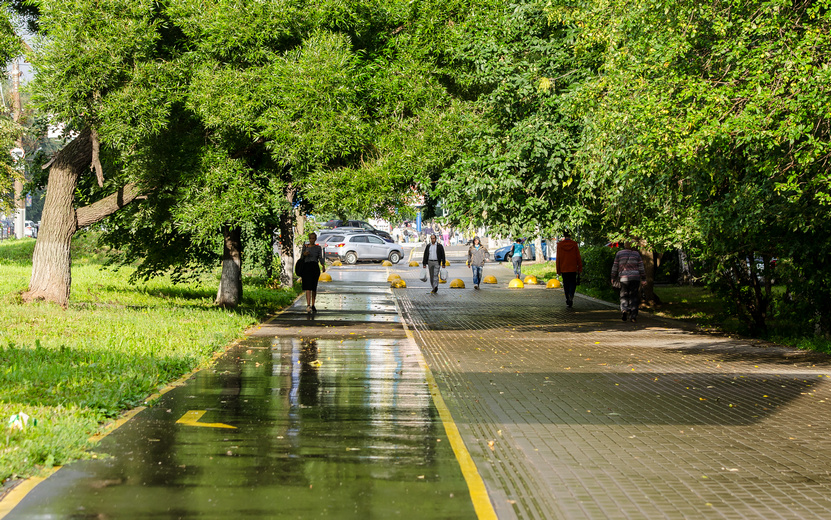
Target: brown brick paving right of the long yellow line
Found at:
x=574, y=414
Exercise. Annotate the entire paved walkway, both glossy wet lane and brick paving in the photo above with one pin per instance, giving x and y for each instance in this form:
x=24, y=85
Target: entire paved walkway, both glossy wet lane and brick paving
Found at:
x=567, y=414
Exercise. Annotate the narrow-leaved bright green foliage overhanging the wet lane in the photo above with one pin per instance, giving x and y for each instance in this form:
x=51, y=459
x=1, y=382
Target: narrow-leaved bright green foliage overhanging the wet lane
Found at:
x=294, y=107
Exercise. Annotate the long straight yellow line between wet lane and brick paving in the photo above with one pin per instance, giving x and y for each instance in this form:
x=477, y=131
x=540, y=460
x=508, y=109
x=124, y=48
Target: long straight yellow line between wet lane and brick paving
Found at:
x=478, y=492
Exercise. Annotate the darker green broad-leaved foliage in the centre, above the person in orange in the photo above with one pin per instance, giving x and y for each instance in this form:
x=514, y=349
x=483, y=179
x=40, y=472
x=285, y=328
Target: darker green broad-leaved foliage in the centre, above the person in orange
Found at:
x=515, y=170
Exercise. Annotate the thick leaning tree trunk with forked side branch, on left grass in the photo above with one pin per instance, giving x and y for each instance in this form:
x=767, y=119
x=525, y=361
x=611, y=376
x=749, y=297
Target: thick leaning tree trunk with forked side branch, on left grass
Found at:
x=52, y=262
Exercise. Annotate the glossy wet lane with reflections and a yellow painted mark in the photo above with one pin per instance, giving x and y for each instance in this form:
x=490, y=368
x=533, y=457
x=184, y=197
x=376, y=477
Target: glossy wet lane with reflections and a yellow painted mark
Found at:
x=336, y=425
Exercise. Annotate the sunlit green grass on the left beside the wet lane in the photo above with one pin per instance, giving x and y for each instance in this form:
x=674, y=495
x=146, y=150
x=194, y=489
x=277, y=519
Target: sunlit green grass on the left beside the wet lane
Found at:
x=114, y=345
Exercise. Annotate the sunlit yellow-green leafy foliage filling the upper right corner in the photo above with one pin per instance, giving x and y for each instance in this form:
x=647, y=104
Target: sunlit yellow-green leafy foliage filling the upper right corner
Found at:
x=708, y=124
